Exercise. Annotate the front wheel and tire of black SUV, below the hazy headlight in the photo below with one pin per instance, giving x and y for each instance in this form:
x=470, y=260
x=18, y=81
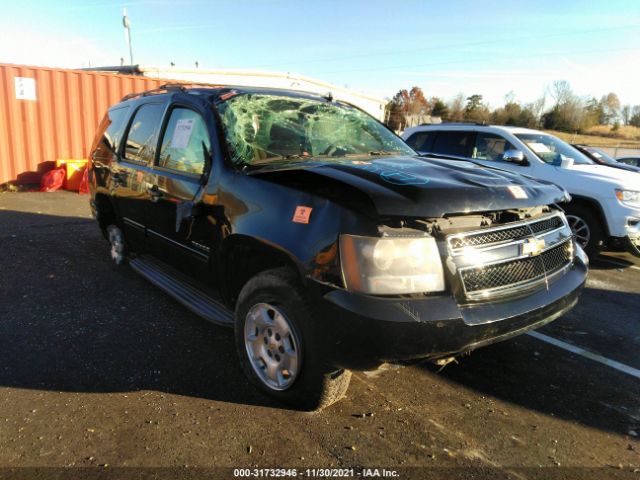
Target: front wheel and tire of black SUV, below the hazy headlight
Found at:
x=274, y=321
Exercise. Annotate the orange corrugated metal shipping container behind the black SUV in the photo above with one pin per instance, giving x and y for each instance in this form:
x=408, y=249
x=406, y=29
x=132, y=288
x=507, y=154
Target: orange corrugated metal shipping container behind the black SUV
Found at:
x=51, y=113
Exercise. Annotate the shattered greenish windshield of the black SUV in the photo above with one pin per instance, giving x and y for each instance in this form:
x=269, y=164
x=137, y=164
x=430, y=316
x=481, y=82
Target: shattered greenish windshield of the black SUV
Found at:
x=263, y=128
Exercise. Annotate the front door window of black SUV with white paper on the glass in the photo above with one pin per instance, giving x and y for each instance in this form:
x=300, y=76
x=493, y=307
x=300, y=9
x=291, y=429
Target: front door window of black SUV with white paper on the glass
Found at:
x=185, y=142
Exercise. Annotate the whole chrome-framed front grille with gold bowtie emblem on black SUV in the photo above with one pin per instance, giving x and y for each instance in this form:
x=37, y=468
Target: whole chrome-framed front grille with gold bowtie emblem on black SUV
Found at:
x=501, y=260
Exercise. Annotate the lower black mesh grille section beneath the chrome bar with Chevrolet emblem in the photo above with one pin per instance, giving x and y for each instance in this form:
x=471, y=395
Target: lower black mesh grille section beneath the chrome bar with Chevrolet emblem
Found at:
x=517, y=271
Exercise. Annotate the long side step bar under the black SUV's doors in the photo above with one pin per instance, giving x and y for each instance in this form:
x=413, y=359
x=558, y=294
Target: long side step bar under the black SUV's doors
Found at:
x=184, y=291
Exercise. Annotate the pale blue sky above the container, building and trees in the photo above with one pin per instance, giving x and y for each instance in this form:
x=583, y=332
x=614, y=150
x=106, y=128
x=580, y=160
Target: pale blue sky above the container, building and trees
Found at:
x=444, y=47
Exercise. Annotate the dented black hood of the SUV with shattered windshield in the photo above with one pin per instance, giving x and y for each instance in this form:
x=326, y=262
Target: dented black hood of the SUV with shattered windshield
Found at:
x=424, y=187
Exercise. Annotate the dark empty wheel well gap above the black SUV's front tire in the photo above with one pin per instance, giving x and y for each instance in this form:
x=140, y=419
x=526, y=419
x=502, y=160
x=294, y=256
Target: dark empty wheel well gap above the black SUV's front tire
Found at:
x=244, y=258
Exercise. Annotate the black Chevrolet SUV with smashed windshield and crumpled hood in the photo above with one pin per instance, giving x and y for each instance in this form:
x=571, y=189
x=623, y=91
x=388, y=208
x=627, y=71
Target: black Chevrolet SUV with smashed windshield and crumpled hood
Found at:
x=320, y=237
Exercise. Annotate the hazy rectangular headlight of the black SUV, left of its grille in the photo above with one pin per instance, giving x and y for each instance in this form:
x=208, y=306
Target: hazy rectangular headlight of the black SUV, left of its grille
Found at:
x=388, y=266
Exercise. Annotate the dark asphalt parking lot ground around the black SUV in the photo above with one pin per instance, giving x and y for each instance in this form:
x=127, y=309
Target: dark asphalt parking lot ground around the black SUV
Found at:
x=103, y=371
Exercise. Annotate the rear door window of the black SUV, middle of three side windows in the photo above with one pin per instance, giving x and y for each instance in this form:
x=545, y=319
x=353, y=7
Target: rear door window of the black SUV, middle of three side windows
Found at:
x=142, y=137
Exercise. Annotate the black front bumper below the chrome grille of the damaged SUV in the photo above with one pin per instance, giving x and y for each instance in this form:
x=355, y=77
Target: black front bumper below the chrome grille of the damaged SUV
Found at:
x=359, y=331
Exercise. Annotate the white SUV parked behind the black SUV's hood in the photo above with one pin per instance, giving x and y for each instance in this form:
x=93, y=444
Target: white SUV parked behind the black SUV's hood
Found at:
x=605, y=205
